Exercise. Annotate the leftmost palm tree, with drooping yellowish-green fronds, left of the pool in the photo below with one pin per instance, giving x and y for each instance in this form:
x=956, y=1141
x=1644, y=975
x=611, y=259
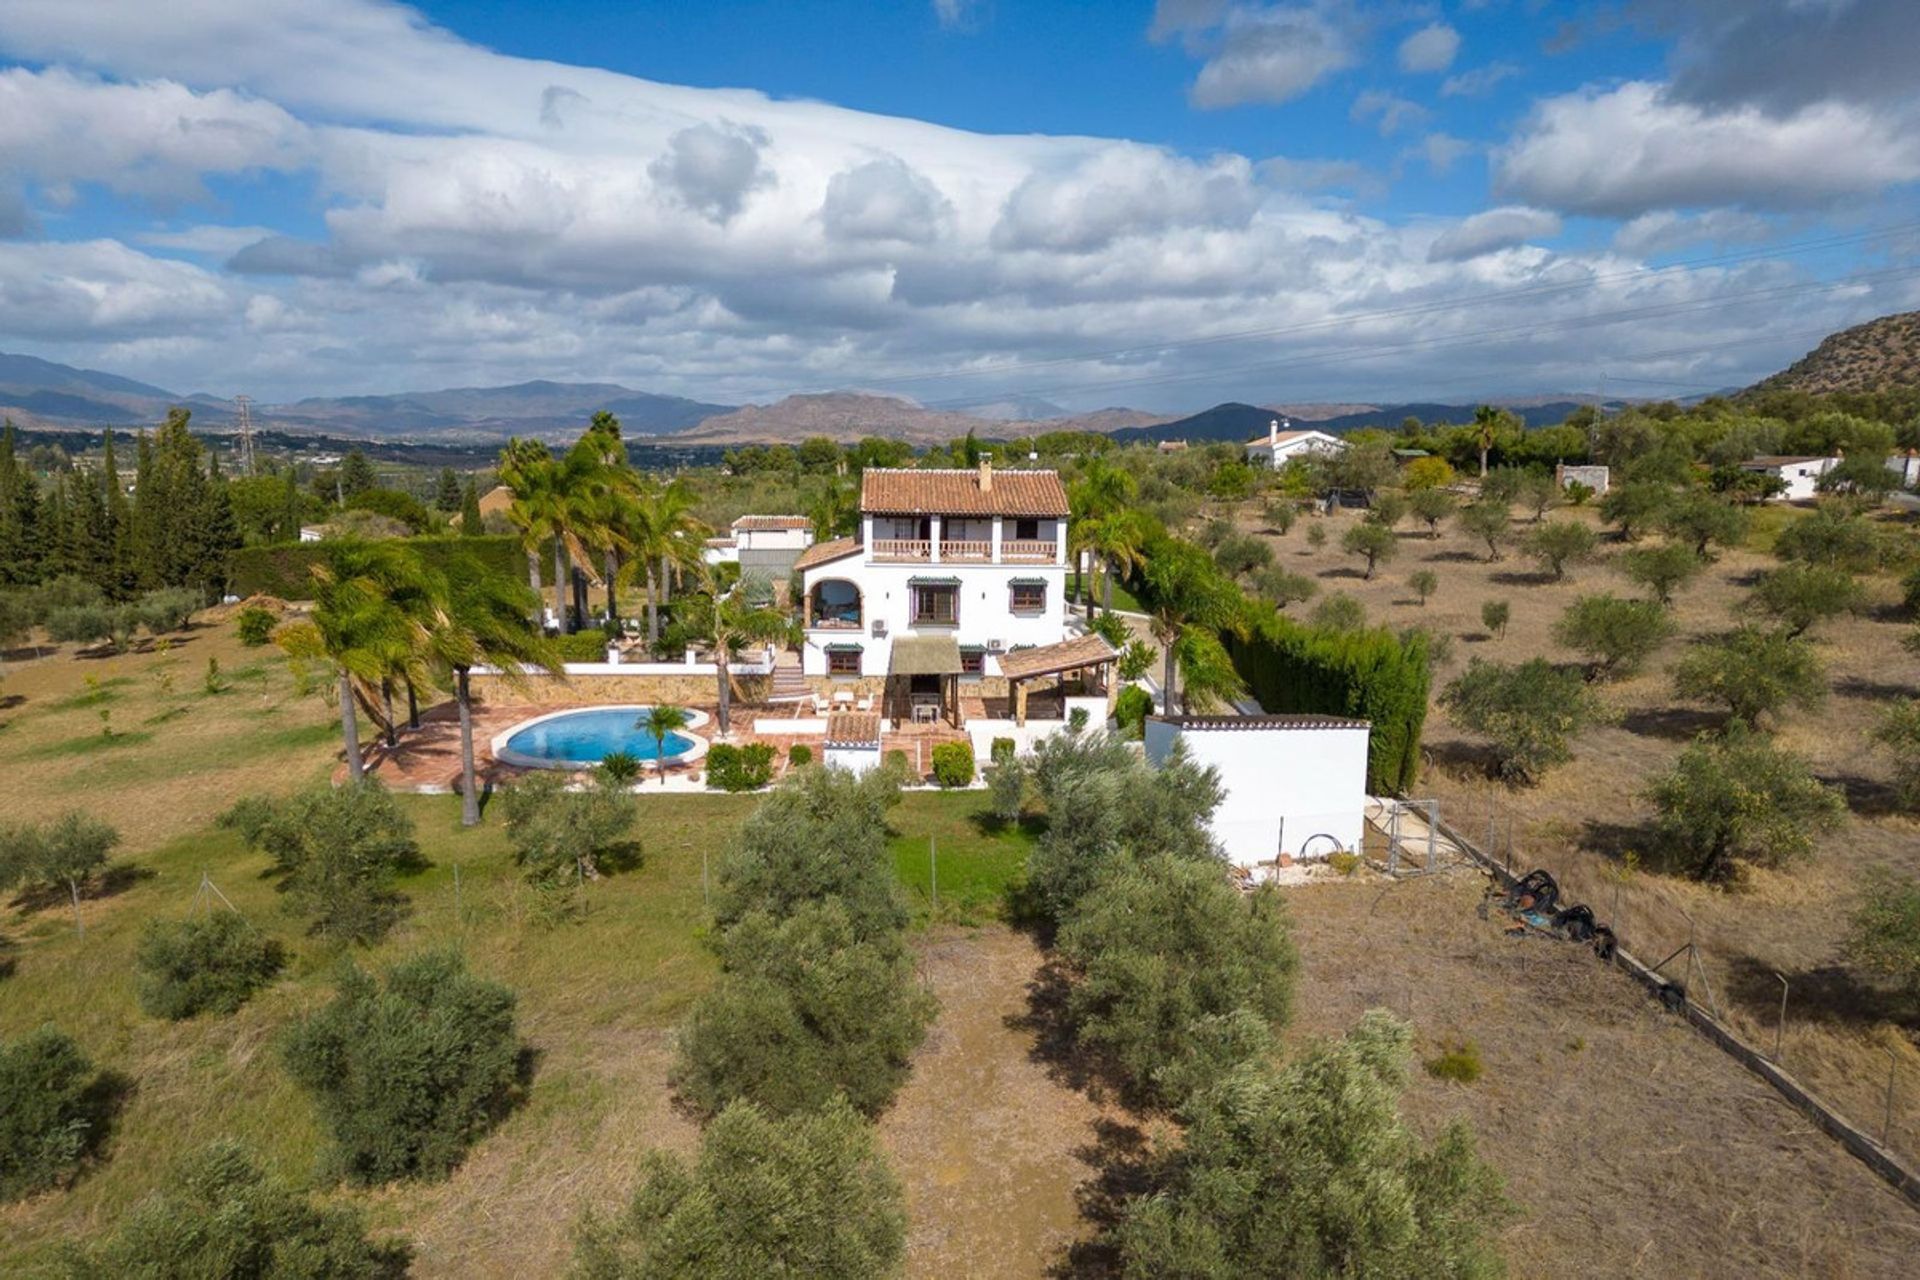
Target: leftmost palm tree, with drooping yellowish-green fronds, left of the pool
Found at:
x=373, y=617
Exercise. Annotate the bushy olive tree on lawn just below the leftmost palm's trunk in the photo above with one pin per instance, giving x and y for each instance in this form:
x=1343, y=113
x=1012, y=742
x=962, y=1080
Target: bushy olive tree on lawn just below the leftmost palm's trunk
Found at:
x=337, y=853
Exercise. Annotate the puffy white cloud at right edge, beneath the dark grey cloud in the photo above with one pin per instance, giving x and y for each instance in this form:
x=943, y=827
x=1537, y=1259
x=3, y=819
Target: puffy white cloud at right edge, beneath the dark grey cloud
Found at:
x=1635, y=149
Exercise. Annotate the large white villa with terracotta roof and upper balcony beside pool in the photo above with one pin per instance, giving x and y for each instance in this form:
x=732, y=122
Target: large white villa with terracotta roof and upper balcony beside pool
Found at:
x=951, y=571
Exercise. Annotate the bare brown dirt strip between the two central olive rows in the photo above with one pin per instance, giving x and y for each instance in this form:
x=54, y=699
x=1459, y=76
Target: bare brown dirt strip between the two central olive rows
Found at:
x=984, y=1137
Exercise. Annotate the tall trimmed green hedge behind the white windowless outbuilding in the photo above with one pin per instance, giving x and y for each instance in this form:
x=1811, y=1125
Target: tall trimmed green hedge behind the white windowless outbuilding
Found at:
x=1364, y=675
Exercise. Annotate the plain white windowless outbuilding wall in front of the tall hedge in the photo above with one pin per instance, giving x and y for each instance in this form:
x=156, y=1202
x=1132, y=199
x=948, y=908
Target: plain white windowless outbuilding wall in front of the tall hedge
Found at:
x=1291, y=784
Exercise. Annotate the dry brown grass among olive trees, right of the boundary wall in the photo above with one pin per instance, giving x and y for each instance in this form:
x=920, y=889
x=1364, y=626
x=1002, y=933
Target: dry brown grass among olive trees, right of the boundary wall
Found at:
x=1589, y=815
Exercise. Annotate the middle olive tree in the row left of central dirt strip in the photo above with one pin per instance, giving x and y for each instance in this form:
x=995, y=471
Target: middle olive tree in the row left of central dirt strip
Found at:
x=807, y=1008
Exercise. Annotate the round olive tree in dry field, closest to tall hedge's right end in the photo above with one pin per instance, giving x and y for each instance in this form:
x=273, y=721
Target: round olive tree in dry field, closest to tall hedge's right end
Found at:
x=1527, y=713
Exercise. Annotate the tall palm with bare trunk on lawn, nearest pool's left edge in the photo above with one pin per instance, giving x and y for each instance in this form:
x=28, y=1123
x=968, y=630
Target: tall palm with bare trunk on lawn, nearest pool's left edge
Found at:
x=487, y=625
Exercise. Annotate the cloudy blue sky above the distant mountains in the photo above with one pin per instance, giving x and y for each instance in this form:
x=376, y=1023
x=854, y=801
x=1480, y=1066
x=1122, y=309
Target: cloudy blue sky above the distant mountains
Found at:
x=1092, y=204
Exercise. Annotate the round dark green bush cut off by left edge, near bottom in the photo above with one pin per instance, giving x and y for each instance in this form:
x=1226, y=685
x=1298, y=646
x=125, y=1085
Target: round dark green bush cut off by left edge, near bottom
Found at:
x=53, y=1112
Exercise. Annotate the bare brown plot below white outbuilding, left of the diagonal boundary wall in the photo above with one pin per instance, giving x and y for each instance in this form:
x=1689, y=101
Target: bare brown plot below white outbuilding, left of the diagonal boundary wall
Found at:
x=1631, y=1145
